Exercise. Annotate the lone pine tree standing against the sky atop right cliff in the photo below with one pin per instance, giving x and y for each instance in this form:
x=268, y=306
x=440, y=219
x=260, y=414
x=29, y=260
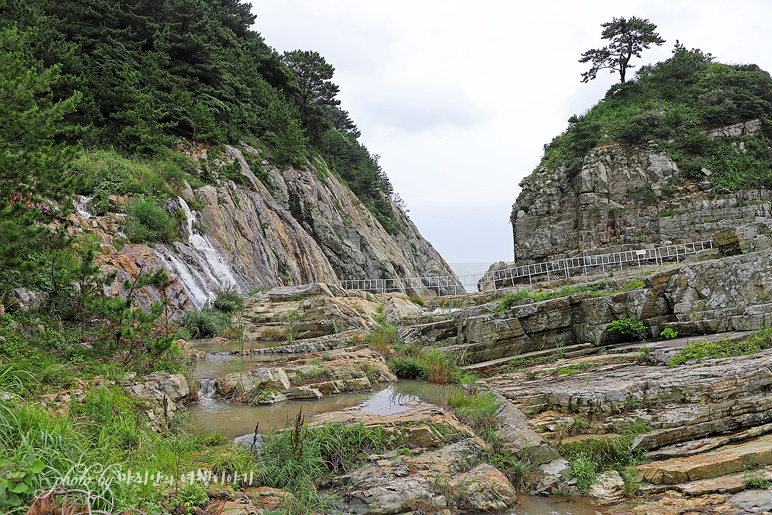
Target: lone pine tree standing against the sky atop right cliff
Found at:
x=628, y=38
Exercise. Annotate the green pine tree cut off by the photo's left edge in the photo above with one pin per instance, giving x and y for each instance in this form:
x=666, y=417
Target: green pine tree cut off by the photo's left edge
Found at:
x=32, y=163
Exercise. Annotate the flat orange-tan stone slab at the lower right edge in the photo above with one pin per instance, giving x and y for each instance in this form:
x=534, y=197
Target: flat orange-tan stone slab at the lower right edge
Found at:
x=725, y=460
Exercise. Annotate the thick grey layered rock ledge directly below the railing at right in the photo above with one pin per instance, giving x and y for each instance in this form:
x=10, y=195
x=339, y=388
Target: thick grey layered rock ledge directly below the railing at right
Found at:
x=729, y=294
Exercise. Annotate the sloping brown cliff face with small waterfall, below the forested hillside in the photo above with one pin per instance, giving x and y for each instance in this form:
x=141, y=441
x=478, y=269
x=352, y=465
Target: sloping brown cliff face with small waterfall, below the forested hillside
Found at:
x=293, y=227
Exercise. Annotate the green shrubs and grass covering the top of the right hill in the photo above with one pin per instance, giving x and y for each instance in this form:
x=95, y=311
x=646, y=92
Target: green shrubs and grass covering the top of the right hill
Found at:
x=674, y=103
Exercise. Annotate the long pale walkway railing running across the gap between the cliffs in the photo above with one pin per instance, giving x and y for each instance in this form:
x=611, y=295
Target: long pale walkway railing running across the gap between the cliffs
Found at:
x=560, y=268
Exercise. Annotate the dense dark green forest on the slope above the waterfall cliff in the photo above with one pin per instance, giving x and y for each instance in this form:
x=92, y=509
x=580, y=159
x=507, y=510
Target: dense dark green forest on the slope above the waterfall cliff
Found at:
x=144, y=76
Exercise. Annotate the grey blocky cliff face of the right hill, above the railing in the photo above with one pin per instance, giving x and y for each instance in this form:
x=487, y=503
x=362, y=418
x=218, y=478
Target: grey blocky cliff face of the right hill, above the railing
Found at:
x=631, y=196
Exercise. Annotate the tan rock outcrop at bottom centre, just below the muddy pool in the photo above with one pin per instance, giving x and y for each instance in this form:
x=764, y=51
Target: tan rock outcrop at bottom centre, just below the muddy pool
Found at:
x=438, y=468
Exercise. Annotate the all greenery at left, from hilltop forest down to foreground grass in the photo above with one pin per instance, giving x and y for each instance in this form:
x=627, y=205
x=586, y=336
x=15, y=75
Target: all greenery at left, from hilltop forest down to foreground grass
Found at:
x=106, y=98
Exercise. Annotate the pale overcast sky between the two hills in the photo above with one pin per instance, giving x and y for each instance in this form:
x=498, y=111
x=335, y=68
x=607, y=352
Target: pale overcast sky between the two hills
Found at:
x=458, y=98
